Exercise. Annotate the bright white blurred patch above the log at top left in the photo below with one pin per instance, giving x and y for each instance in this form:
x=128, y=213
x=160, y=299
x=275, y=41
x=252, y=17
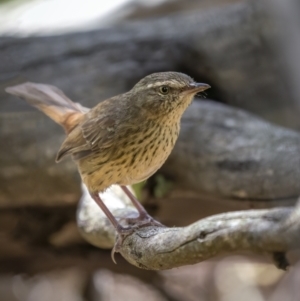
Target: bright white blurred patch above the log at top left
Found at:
x=23, y=18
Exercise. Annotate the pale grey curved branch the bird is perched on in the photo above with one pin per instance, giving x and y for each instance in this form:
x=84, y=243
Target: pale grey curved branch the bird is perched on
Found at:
x=274, y=231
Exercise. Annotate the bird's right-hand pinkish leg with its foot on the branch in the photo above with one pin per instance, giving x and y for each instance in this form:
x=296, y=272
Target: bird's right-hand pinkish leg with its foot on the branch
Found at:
x=144, y=219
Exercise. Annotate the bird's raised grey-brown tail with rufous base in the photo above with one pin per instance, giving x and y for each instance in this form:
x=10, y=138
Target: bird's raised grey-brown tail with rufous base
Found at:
x=52, y=101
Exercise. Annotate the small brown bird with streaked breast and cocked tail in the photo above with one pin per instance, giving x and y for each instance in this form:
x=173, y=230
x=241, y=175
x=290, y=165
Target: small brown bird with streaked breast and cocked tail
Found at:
x=123, y=140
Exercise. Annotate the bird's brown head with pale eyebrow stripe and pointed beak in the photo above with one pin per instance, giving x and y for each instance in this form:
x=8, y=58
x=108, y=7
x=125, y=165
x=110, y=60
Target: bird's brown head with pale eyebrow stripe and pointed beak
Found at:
x=164, y=93
